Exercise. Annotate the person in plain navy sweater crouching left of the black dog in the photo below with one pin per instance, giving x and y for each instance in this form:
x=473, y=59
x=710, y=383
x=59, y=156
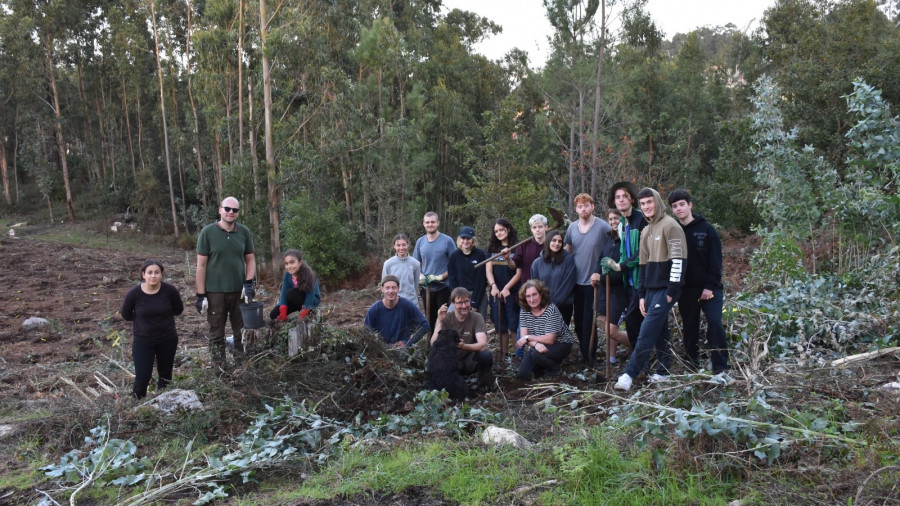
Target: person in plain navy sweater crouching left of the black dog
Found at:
x=397, y=320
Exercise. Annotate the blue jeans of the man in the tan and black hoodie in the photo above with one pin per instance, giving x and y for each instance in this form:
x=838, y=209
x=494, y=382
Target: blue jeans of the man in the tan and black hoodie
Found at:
x=654, y=334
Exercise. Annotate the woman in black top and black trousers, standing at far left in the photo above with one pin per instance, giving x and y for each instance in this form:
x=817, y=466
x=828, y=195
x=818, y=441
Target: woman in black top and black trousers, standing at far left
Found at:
x=152, y=306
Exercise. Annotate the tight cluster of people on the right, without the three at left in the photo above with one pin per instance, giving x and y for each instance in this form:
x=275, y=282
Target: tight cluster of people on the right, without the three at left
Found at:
x=535, y=289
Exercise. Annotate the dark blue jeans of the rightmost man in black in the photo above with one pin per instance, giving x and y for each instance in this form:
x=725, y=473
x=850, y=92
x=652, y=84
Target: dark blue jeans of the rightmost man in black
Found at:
x=690, y=306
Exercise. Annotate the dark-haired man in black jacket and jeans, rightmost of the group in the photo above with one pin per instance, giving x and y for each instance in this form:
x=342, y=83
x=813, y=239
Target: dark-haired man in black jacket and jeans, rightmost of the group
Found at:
x=702, y=284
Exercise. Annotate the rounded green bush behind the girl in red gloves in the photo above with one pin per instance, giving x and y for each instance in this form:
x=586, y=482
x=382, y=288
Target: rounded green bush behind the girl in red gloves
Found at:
x=321, y=235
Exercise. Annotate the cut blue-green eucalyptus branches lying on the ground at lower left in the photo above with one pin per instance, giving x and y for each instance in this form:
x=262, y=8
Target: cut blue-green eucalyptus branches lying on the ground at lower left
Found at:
x=282, y=433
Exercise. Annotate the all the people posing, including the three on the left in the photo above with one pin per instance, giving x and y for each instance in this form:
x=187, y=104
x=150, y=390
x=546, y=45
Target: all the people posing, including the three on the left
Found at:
x=534, y=290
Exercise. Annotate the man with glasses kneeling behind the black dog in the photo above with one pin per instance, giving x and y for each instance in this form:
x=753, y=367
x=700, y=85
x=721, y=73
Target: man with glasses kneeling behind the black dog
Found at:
x=473, y=356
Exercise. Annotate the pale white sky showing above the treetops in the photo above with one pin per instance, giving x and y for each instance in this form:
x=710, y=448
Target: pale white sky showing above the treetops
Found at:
x=525, y=23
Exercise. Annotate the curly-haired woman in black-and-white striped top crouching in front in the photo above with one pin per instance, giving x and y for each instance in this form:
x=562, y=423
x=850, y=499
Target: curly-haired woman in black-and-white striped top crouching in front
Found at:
x=543, y=329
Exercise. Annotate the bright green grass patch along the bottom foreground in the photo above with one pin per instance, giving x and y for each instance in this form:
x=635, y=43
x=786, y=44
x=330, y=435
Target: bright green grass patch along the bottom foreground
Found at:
x=574, y=470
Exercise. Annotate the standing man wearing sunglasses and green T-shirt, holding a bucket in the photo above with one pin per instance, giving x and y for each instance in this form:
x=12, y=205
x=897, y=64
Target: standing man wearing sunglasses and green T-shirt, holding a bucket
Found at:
x=226, y=266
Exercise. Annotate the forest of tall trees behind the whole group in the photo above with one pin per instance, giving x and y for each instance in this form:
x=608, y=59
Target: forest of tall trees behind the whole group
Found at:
x=340, y=123
